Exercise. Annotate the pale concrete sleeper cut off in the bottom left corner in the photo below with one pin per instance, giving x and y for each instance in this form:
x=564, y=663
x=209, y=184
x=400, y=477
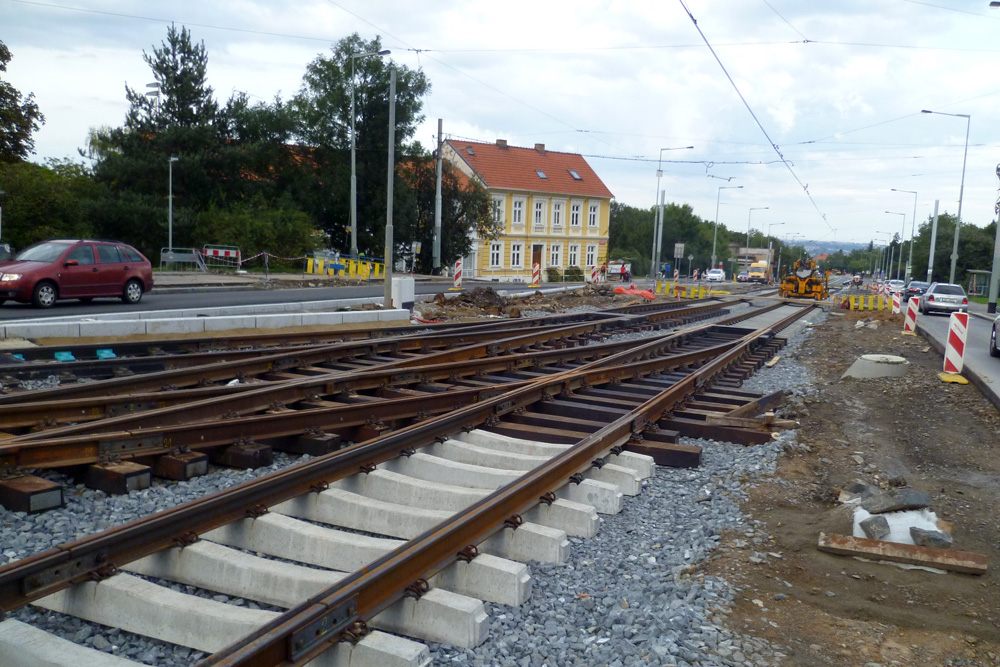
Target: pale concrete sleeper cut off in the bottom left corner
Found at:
x=23, y=644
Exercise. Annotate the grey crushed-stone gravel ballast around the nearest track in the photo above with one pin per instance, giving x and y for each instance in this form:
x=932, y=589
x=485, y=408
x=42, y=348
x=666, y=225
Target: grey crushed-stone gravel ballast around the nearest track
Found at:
x=627, y=597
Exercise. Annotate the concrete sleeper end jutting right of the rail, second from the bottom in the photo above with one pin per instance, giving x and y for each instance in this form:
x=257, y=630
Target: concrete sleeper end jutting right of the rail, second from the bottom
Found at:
x=438, y=616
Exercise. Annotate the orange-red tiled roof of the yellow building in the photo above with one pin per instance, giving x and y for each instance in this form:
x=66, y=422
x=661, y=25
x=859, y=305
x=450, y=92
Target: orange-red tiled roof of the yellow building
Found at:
x=513, y=168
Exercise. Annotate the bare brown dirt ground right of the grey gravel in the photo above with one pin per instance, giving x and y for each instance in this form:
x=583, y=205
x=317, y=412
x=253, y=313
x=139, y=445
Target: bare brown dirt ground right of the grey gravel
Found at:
x=936, y=437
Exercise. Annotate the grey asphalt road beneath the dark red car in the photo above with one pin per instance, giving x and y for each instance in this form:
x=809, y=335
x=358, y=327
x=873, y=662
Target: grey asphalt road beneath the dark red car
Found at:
x=174, y=298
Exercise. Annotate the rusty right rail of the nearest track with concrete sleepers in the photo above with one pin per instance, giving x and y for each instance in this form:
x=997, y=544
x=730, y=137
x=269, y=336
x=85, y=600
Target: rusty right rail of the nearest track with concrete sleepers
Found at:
x=301, y=634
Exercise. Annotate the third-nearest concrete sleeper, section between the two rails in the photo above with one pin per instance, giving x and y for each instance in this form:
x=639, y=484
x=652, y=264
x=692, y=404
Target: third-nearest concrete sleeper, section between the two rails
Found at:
x=214, y=567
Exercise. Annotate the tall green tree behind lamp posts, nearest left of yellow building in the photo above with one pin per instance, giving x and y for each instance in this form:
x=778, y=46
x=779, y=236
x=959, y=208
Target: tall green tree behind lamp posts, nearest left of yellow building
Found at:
x=323, y=105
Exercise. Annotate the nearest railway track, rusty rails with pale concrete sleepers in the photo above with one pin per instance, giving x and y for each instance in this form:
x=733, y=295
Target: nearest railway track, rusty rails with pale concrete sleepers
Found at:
x=513, y=472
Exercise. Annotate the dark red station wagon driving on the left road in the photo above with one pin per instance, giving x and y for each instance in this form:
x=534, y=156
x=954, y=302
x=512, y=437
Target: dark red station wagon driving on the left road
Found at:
x=68, y=269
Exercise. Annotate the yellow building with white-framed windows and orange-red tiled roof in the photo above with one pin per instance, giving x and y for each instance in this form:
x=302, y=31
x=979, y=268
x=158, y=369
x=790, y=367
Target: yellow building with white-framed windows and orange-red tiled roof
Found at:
x=555, y=210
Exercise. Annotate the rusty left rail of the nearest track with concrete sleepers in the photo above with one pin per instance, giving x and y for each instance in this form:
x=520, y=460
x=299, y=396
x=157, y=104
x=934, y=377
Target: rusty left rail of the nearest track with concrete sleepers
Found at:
x=99, y=556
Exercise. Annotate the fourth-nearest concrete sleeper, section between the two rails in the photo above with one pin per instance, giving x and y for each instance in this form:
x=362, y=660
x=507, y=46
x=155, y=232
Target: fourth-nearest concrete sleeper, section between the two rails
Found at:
x=285, y=537
